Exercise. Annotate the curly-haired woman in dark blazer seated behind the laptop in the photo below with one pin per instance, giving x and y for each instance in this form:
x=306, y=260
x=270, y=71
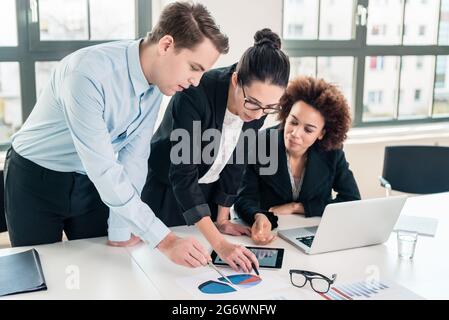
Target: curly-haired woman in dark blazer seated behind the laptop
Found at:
x=314, y=122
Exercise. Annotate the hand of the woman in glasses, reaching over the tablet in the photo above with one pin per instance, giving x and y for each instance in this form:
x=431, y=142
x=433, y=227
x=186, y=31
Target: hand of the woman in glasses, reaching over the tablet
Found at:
x=237, y=256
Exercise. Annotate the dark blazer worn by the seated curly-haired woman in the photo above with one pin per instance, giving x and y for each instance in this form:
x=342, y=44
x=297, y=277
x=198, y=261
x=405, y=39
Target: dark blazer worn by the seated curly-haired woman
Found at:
x=325, y=170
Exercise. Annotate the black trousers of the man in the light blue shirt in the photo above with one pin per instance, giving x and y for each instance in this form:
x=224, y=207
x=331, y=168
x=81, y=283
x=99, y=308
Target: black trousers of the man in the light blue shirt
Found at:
x=40, y=204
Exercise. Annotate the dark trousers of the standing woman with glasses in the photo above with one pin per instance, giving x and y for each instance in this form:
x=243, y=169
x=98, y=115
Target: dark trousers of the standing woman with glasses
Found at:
x=161, y=199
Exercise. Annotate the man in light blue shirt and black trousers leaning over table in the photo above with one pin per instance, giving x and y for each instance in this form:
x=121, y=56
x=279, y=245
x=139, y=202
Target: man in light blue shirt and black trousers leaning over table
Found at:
x=81, y=156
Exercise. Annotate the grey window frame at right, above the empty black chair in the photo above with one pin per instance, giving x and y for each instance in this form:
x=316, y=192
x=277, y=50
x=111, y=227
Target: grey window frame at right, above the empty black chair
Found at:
x=359, y=49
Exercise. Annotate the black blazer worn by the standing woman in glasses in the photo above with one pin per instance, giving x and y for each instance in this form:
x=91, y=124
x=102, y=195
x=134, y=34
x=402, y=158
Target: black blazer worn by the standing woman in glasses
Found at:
x=207, y=104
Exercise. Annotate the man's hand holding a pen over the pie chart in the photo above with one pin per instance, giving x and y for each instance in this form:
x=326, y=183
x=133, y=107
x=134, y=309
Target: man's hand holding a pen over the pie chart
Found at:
x=187, y=252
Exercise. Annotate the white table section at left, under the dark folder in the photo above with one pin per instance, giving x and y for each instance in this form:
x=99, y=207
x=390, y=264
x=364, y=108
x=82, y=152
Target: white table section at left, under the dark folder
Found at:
x=88, y=269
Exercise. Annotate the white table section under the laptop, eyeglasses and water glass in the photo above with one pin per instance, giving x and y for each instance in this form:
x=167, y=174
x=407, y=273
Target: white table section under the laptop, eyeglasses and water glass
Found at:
x=426, y=275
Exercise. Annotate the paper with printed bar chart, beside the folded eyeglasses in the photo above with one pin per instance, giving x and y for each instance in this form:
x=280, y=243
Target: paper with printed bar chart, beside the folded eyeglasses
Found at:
x=369, y=290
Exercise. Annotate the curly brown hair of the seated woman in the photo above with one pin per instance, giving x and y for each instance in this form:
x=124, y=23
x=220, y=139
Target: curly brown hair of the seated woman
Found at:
x=328, y=100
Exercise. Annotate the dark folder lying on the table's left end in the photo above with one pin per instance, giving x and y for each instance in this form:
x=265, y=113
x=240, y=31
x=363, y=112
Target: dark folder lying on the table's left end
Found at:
x=21, y=272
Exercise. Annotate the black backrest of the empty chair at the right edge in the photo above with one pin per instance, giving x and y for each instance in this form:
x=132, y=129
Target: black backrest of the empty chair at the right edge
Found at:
x=417, y=169
